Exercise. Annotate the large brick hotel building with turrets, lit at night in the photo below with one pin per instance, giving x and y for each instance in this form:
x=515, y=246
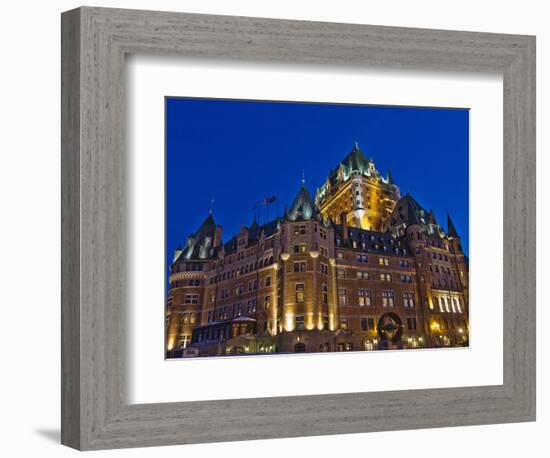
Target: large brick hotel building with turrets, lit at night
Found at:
x=359, y=267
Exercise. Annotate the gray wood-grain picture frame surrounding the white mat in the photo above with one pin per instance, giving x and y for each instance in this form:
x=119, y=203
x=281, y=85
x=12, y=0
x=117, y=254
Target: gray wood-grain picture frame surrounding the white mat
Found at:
x=95, y=411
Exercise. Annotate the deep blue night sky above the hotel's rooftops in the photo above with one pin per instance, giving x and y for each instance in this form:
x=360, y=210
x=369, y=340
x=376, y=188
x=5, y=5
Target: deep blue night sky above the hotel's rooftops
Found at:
x=238, y=152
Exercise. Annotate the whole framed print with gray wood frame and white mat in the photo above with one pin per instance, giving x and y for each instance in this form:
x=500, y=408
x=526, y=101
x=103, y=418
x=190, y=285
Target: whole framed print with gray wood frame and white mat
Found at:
x=317, y=228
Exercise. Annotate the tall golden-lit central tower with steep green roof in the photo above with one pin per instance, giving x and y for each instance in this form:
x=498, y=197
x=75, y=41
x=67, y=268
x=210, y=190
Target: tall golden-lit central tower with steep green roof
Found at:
x=356, y=190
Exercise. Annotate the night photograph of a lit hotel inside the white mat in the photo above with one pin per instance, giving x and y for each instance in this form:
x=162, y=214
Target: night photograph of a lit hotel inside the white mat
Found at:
x=309, y=227
